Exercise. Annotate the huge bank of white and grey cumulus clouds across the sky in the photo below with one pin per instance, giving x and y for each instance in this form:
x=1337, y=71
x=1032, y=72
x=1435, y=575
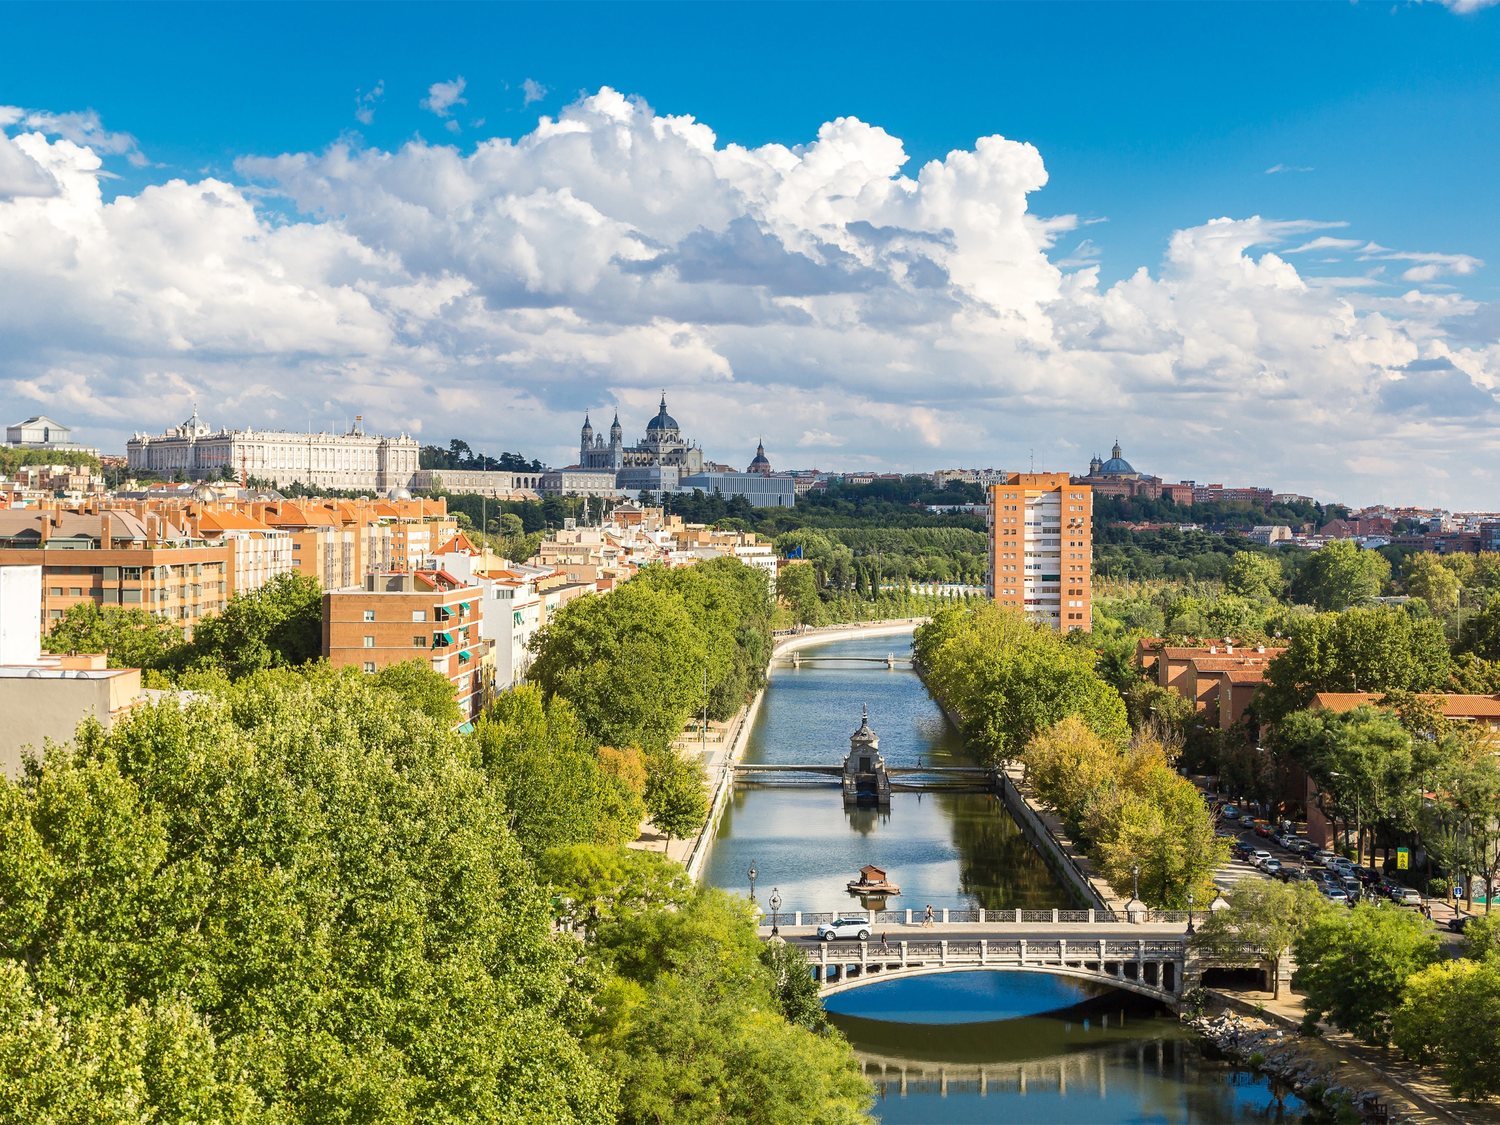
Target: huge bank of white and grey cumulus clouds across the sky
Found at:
x=826, y=290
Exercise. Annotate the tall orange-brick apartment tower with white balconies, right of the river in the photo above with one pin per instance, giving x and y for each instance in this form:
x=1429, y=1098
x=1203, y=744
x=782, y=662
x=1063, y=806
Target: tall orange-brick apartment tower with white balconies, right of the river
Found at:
x=1042, y=548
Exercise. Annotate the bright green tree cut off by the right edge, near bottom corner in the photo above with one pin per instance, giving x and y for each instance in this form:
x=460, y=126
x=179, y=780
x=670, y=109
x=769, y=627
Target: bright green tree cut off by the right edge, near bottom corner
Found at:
x=1448, y=1018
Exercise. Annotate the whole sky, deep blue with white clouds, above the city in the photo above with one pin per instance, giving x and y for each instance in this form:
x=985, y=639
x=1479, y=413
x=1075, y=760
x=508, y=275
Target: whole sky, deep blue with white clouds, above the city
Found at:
x=1283, y=281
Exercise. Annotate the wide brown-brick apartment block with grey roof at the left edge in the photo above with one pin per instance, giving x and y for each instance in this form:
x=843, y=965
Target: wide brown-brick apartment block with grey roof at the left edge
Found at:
x=119, y=559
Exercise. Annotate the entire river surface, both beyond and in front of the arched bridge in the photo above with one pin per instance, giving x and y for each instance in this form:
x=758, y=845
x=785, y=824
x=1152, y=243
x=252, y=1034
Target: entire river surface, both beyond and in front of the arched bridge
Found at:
x=959, y=1048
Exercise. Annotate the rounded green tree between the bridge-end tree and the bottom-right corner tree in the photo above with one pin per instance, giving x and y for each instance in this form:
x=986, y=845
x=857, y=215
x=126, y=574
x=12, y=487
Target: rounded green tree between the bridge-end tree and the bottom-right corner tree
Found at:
x=1354, y=965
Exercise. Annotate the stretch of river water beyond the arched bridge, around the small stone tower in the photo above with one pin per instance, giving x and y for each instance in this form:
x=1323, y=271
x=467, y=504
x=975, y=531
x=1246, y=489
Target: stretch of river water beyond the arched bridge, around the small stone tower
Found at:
x=943, y=848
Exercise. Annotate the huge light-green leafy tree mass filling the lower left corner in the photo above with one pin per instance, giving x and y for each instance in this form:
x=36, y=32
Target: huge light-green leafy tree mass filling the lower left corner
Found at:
x=292, y=901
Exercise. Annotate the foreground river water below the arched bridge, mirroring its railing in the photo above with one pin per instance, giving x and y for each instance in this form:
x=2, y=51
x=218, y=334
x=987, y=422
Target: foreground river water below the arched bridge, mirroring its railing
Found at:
x=1000, y=1048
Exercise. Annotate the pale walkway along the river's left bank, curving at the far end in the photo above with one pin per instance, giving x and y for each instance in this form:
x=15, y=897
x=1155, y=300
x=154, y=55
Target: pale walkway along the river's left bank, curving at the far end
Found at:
x=731, y=739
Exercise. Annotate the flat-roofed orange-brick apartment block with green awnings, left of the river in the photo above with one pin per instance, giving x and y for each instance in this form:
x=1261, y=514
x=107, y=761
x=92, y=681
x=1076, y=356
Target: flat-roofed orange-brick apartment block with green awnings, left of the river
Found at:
x=427, y=616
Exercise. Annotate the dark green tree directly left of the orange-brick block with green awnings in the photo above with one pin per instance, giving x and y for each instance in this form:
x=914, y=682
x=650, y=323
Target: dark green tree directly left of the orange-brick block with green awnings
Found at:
x=277, y=626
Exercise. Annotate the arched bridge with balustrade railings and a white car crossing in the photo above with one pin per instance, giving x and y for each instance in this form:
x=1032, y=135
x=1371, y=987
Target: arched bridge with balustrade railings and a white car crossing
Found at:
x=1151, y=959
